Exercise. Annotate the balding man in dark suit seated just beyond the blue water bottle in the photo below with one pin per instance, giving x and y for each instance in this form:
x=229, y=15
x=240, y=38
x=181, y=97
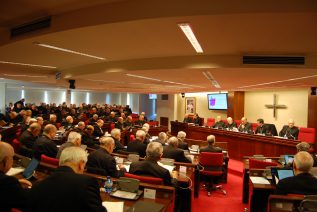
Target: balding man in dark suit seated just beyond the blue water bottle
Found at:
x=101, y=162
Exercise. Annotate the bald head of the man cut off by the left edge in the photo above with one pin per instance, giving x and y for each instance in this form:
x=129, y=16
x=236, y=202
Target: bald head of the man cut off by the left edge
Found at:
x=6, y=157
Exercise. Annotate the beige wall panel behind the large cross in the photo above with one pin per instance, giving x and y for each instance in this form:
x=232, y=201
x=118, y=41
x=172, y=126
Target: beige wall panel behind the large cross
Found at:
x=296, y=101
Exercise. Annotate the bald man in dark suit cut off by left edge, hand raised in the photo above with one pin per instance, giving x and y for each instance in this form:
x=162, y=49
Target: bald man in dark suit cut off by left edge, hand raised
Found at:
x=12, y=193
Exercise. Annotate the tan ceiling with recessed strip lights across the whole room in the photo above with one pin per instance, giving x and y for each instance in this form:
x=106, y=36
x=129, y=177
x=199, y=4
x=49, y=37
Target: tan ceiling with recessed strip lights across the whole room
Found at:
x=142, y=38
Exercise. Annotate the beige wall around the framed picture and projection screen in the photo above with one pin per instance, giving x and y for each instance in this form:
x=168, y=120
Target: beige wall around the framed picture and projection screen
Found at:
x=201, y=106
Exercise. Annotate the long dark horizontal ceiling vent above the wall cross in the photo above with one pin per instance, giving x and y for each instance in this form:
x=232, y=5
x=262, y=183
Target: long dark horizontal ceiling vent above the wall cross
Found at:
x=274, y=60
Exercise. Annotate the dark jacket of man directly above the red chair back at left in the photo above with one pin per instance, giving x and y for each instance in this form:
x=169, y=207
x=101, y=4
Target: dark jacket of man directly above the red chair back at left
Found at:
x=44, y=145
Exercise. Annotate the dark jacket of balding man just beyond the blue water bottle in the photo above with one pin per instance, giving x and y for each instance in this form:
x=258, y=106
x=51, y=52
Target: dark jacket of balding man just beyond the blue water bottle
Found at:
x=101, y=162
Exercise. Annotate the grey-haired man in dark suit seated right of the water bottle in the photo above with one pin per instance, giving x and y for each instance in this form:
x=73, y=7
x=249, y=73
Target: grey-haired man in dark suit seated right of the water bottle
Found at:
x=150, y=167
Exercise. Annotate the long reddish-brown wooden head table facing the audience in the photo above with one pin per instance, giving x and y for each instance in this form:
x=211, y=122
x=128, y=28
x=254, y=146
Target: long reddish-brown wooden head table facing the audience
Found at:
x=239, y=144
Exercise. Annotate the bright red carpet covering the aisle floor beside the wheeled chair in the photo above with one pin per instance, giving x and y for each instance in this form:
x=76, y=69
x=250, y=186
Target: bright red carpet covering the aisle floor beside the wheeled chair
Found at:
x=232, y=202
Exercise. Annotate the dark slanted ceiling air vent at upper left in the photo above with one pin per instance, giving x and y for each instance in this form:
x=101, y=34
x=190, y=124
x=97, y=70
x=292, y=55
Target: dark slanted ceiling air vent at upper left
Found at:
x=31, y=27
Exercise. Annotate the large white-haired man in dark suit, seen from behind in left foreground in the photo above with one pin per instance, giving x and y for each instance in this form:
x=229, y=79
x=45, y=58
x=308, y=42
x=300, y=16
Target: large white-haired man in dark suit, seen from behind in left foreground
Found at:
x=67, y=189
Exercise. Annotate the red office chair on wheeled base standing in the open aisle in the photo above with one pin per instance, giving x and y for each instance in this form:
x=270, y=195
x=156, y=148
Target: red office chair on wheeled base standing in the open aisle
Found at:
x=213, y=169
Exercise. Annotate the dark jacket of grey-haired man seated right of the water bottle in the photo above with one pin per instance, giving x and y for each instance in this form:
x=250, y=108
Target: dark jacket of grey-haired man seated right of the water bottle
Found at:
x=151, y=169
